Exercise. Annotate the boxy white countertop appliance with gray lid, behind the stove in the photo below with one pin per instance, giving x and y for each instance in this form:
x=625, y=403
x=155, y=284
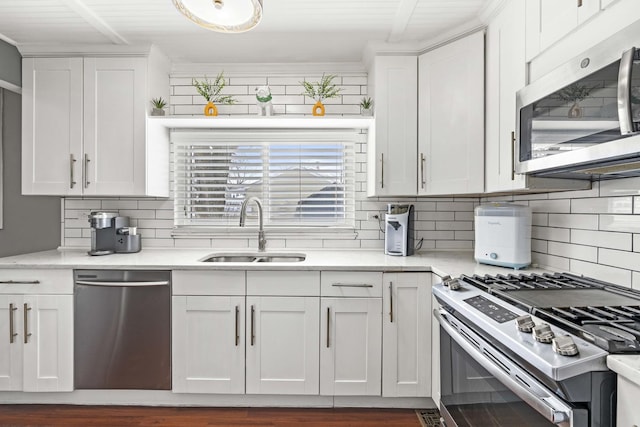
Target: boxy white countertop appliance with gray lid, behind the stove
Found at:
x=503, y=235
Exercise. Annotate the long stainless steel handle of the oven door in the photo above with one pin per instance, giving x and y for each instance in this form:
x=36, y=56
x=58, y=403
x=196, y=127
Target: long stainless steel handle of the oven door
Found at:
x=533, y=393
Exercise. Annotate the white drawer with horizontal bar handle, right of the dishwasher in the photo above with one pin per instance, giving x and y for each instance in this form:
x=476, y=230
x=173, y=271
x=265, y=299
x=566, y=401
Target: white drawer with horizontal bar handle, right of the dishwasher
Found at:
x=351, y=284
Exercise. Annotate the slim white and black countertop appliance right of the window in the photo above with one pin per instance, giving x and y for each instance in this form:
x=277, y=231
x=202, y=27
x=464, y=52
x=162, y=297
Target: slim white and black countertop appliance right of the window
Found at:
x=398, y=236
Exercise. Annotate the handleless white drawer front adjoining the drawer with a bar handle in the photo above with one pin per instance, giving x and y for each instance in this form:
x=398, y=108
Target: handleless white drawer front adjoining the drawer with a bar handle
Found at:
x=286, y=283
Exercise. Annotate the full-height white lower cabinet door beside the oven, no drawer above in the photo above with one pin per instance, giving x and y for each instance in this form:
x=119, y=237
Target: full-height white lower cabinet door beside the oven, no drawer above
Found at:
x=406, y=335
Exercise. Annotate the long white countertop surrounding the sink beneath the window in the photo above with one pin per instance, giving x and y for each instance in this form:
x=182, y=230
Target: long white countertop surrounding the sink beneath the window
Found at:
x=453, y=263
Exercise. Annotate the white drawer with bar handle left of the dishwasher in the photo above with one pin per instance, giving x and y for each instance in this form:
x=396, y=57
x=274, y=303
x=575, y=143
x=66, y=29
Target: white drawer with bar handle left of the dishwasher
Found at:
x=36, y=281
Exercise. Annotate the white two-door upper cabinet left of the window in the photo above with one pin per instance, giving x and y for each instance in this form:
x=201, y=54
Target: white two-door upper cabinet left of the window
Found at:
x=84, y=127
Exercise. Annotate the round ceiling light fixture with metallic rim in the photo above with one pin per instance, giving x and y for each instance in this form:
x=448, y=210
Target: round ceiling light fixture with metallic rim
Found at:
x=225, y=16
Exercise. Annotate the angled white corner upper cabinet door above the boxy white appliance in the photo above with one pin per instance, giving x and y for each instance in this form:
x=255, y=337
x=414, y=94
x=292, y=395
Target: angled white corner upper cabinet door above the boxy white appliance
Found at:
x=451, y=118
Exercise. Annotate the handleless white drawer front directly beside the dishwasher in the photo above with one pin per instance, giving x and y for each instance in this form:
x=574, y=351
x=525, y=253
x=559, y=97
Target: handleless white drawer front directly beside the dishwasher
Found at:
x=208, y=282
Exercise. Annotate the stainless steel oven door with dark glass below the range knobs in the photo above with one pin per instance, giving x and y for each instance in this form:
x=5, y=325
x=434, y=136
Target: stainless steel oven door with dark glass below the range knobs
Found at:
x=482, y=387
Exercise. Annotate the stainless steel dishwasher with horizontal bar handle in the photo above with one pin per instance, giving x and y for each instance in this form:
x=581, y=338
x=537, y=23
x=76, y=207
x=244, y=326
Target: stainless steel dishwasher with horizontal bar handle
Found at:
x=122, y=329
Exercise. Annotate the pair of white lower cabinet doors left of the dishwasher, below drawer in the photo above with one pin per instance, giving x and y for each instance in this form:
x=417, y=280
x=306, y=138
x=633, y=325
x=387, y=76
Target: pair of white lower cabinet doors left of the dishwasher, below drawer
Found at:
x=36, y=349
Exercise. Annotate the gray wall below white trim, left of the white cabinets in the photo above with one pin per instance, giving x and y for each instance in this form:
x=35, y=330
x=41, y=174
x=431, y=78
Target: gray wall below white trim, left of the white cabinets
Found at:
x=31, y=223
